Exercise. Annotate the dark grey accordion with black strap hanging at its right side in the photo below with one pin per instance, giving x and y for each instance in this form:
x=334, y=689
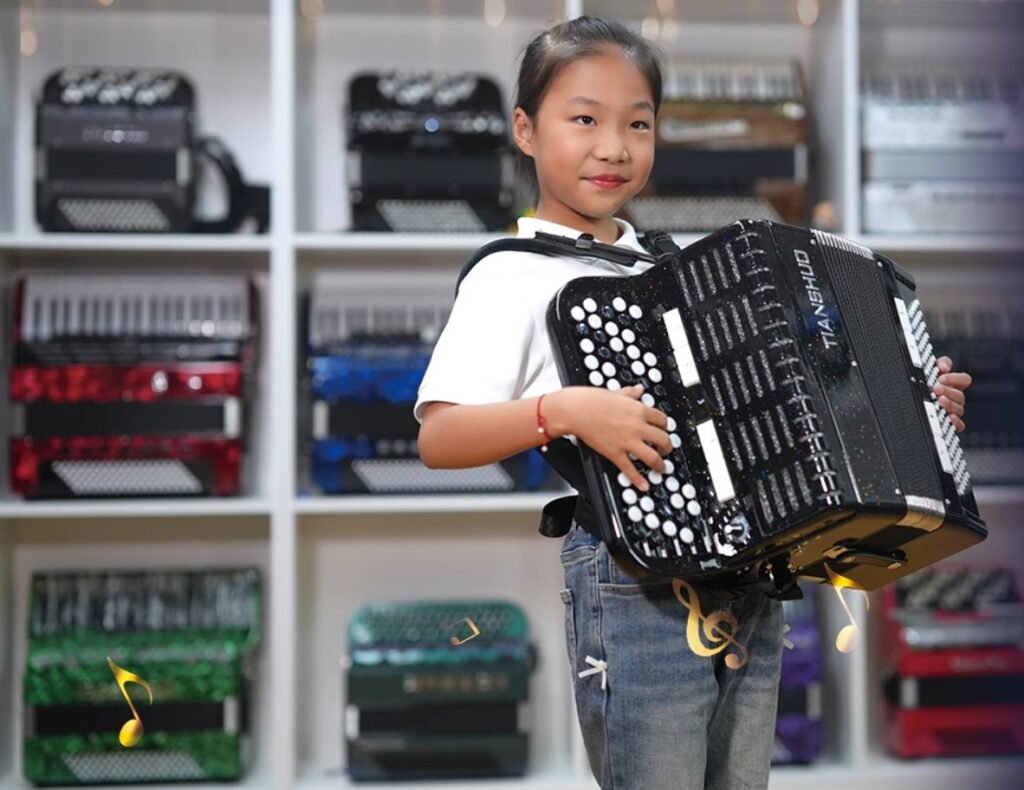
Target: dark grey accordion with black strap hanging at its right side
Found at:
x=117, y=151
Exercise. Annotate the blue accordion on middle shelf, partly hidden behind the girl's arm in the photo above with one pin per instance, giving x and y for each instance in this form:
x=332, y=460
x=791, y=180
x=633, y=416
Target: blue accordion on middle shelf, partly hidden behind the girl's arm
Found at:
x=369, y=346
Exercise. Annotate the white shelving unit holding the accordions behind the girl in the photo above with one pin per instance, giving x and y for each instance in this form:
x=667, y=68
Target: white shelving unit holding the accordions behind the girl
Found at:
x=271, y=81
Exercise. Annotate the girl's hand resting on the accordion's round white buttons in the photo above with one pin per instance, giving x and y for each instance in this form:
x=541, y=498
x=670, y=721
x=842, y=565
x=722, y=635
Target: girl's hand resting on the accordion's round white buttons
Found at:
x=620, y=428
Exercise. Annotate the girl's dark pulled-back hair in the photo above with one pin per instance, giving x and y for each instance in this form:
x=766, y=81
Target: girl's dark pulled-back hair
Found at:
x=549, y=53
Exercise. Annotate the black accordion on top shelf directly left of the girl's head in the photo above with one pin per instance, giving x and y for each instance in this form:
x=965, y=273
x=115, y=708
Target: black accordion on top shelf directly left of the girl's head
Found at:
x=429, y=153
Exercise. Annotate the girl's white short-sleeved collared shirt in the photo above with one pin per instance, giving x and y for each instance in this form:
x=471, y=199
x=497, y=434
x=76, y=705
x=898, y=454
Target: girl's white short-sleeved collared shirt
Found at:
x=496, y=347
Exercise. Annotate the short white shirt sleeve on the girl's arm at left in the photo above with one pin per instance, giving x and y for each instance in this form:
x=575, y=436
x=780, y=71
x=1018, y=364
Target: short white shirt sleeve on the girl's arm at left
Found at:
x=484, y=354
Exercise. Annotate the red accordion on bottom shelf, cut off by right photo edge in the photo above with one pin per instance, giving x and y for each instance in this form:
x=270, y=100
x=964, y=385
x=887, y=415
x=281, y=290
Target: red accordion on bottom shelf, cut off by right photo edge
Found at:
x=955, y=663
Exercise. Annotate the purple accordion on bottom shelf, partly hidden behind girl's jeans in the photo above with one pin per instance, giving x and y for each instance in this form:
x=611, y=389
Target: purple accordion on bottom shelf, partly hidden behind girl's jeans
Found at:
x=799, y=730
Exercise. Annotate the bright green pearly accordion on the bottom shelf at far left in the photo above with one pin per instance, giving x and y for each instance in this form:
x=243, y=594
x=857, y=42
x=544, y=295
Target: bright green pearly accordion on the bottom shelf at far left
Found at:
x=192, y=636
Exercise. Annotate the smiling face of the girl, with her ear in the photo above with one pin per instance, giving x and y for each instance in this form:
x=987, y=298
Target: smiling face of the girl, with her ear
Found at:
x=592, y=141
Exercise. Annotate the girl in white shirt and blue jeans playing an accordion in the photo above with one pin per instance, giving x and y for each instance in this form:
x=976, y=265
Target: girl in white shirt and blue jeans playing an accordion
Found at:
x=654, y=715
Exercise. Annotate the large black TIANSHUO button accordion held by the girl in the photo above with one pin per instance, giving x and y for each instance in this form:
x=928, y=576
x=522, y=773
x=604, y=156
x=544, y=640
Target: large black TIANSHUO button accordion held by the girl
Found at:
x=796, y=370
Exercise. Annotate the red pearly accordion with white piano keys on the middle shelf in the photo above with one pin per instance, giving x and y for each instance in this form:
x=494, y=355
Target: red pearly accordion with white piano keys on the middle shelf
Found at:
x=132, y=386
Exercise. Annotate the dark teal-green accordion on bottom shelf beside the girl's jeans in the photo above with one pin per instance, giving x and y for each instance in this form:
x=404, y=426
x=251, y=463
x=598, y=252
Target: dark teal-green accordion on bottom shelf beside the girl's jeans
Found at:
x=438, y=690
